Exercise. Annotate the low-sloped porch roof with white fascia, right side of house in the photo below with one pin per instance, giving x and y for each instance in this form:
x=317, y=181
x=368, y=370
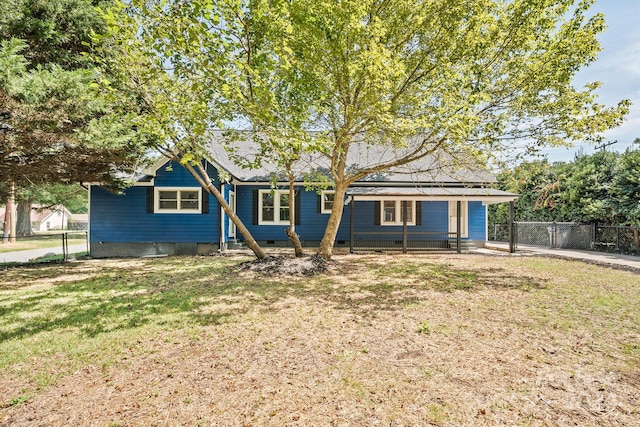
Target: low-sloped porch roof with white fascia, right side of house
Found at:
x=487, y=195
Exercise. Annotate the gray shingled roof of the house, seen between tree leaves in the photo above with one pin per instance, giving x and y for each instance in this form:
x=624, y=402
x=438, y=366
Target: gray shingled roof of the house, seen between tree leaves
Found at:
x=428, y=170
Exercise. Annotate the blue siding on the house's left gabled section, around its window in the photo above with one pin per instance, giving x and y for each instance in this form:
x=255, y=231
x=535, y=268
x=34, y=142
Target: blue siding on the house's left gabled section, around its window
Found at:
x=124, y=217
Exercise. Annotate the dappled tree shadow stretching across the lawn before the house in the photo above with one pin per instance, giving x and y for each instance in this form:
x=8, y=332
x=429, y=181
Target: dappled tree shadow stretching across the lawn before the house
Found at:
x=207, y=291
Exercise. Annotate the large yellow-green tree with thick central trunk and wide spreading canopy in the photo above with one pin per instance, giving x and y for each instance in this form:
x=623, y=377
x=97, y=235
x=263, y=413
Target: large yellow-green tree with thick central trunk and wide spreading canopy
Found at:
x=462, y=78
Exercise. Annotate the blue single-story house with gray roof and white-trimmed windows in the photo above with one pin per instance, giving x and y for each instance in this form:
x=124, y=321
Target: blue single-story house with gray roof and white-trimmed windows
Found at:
x=431, y=204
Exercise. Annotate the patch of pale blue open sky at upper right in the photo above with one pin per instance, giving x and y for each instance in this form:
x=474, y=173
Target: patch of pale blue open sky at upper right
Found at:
x=618, y=68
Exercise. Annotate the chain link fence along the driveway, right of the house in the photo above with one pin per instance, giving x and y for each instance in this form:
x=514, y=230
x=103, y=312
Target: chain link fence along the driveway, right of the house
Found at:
x=567, y=235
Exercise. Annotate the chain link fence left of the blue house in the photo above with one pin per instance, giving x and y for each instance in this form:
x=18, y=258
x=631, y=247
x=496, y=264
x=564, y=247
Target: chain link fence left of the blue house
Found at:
x=43, y=247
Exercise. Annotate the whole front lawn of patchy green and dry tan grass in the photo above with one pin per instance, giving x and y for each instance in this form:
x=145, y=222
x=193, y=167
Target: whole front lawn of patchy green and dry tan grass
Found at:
x=446, y=340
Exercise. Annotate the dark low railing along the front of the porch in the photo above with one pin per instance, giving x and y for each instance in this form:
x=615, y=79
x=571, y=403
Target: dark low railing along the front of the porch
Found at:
x=409, y=241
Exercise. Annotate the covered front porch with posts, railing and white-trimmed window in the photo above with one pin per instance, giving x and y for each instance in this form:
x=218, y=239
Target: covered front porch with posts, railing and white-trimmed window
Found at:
x=454, y=223
